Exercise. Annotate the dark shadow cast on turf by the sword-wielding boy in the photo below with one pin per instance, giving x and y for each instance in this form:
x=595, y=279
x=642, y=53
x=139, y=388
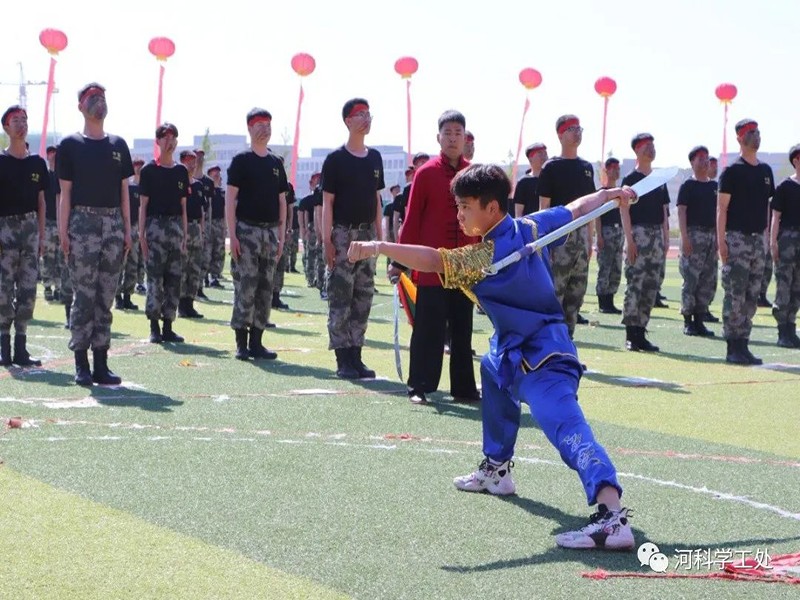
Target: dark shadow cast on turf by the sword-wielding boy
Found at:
x=594, y=559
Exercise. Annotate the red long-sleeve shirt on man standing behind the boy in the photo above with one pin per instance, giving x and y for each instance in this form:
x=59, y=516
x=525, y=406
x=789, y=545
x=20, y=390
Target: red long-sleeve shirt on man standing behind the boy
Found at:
x=431, y=214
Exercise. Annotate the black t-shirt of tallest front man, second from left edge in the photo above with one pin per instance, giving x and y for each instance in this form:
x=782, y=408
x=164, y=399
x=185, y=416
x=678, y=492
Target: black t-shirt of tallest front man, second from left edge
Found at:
x=96, y=169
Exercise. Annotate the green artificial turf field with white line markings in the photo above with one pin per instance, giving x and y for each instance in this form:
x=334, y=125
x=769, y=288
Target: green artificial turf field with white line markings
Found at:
x=278, y=474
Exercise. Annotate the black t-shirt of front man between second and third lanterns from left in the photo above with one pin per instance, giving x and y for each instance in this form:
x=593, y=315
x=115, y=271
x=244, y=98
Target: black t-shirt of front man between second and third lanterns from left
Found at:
x=261, y=180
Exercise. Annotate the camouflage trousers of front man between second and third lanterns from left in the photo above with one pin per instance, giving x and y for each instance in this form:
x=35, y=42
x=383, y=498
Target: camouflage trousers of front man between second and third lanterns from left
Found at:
x=253, y=273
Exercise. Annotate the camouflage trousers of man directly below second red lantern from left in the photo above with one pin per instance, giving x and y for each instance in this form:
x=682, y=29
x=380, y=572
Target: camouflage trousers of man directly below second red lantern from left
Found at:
x=164, y=266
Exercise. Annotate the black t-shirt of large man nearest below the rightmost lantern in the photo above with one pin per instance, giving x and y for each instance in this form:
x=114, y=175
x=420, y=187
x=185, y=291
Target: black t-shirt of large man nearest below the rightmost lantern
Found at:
x=750, y=187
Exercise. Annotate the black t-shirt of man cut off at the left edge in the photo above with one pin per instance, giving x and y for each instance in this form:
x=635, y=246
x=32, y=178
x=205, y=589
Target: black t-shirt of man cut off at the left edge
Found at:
x=21, y=180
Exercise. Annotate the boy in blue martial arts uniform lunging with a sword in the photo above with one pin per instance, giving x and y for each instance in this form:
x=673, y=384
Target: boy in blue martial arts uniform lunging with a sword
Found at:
x=531, y=357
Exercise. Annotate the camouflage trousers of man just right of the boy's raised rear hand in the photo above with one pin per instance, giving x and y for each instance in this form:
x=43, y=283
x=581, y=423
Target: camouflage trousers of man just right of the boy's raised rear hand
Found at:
x=643, y=276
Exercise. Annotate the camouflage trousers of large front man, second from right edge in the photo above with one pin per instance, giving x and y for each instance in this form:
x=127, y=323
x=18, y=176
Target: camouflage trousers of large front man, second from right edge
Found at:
x=741, y=280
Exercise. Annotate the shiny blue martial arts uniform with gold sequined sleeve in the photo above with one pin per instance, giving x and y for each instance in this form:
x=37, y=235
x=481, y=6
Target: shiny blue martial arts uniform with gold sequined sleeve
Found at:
x=531, y=357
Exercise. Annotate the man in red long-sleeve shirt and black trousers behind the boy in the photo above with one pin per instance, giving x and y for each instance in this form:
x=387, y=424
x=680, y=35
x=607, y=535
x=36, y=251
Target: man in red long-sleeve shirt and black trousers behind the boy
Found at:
x=431, y=220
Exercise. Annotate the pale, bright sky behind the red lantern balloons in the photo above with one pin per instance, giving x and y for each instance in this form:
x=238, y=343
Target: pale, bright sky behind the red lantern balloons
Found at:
x=666, y=57
